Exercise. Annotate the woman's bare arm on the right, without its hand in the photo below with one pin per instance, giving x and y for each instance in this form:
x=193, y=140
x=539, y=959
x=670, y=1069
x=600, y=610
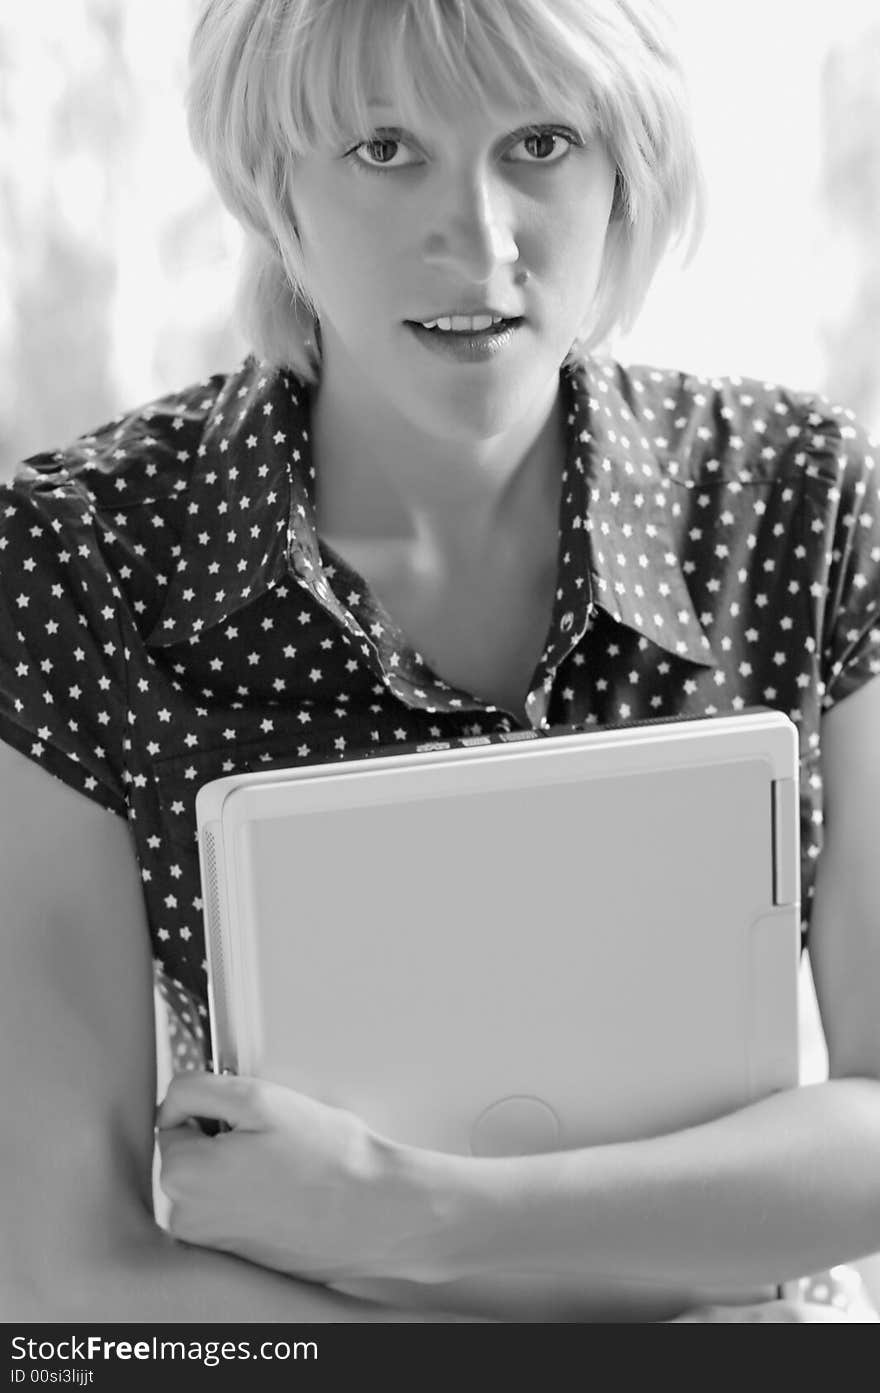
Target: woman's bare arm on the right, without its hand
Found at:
x=782, y=1189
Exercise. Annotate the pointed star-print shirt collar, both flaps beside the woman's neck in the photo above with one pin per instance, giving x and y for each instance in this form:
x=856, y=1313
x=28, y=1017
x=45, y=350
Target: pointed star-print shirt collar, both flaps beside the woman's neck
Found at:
x=251, y=522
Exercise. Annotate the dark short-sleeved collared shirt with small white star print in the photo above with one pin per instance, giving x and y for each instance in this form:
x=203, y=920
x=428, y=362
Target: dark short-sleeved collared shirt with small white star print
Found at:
x=169, y=612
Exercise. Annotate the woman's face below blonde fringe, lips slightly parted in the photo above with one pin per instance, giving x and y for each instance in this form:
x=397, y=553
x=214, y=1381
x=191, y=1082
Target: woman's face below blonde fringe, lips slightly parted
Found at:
x=424, y=222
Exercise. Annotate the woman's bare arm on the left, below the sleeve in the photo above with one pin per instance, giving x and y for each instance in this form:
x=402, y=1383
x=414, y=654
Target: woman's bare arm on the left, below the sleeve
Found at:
x=79, y=1086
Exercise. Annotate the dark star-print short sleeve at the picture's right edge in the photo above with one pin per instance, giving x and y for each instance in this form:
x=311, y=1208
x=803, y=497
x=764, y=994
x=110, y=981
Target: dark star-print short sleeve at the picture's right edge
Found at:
x=851, y=630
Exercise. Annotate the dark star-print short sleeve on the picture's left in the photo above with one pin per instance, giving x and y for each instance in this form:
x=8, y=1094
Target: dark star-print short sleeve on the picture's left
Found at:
x=63, y=692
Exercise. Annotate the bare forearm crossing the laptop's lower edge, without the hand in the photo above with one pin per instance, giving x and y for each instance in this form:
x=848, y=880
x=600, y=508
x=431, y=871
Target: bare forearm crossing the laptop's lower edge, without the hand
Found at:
x=785, y=1188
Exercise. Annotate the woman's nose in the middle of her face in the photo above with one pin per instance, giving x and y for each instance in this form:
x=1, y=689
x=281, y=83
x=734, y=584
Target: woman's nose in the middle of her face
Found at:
x=471, y=235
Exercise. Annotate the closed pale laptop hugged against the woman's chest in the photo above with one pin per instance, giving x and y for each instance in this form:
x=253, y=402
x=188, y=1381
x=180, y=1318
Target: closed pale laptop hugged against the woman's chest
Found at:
x=513, y=945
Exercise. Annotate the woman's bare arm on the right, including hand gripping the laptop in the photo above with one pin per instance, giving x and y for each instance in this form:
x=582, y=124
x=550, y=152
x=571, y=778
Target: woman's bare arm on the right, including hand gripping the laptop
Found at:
x=778, y=1190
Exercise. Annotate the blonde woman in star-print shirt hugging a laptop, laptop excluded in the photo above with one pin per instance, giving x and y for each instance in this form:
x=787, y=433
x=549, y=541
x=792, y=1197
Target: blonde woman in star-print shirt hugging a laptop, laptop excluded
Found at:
x=409, y=522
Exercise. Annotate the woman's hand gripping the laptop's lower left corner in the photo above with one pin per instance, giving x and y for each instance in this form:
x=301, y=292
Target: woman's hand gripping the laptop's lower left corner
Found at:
x=296, y=1185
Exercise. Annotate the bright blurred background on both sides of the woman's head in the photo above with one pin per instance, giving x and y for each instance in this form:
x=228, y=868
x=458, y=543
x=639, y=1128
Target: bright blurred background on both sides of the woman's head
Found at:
x=118, y=261
